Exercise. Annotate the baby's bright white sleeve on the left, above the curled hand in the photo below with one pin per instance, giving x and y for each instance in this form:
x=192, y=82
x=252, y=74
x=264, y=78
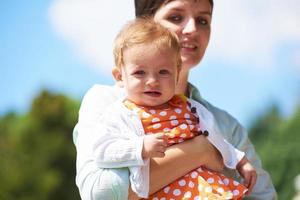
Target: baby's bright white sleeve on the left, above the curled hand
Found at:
x=113, y=146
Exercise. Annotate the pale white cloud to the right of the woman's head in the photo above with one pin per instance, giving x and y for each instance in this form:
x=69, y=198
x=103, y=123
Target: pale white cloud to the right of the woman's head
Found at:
x=250, y=31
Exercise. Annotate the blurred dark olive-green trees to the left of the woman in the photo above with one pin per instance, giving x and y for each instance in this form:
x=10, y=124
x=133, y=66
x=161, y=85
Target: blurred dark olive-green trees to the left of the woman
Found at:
x=37, y=154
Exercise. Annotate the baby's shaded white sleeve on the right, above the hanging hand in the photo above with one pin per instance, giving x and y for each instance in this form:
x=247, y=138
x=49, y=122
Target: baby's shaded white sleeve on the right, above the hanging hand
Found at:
x=231, y=155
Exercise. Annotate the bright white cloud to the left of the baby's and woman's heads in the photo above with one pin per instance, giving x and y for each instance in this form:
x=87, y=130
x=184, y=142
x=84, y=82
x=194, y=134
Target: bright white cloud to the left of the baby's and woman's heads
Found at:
x=91, y=26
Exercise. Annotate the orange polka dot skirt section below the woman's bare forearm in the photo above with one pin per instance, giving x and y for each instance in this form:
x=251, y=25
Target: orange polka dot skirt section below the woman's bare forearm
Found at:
x=204, y=186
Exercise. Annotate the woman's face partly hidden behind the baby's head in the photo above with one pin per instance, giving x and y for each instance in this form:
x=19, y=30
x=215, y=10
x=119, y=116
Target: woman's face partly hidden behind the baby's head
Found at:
x=190, y=20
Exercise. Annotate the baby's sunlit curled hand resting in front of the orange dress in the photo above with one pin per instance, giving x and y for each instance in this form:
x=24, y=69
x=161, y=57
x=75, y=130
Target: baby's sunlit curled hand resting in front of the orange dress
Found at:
x=154, y=145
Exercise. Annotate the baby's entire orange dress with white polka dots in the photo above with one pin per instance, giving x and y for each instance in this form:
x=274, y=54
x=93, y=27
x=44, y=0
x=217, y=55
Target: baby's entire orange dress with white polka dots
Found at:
x=180, y=122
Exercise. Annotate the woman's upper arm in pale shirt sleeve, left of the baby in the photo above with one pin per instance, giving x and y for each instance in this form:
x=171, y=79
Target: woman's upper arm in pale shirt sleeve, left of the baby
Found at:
x=93, y=182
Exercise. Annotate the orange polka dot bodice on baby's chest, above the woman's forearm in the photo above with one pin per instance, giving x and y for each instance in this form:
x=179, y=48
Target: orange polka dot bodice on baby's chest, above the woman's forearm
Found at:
x=176, y=121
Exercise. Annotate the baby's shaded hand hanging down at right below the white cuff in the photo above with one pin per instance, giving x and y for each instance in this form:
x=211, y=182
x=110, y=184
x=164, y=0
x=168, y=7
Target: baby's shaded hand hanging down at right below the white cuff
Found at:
x=248, y=172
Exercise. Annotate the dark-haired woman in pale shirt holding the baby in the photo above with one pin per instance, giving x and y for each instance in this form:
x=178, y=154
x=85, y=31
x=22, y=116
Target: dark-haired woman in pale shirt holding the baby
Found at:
x=190, y=20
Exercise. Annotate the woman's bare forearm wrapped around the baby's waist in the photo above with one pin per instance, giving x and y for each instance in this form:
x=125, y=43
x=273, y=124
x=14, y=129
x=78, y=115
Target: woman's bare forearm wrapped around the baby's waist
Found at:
x=193, y=153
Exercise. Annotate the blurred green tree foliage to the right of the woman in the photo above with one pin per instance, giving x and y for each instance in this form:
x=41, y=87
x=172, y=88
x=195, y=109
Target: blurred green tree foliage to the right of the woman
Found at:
x=277, y=142
